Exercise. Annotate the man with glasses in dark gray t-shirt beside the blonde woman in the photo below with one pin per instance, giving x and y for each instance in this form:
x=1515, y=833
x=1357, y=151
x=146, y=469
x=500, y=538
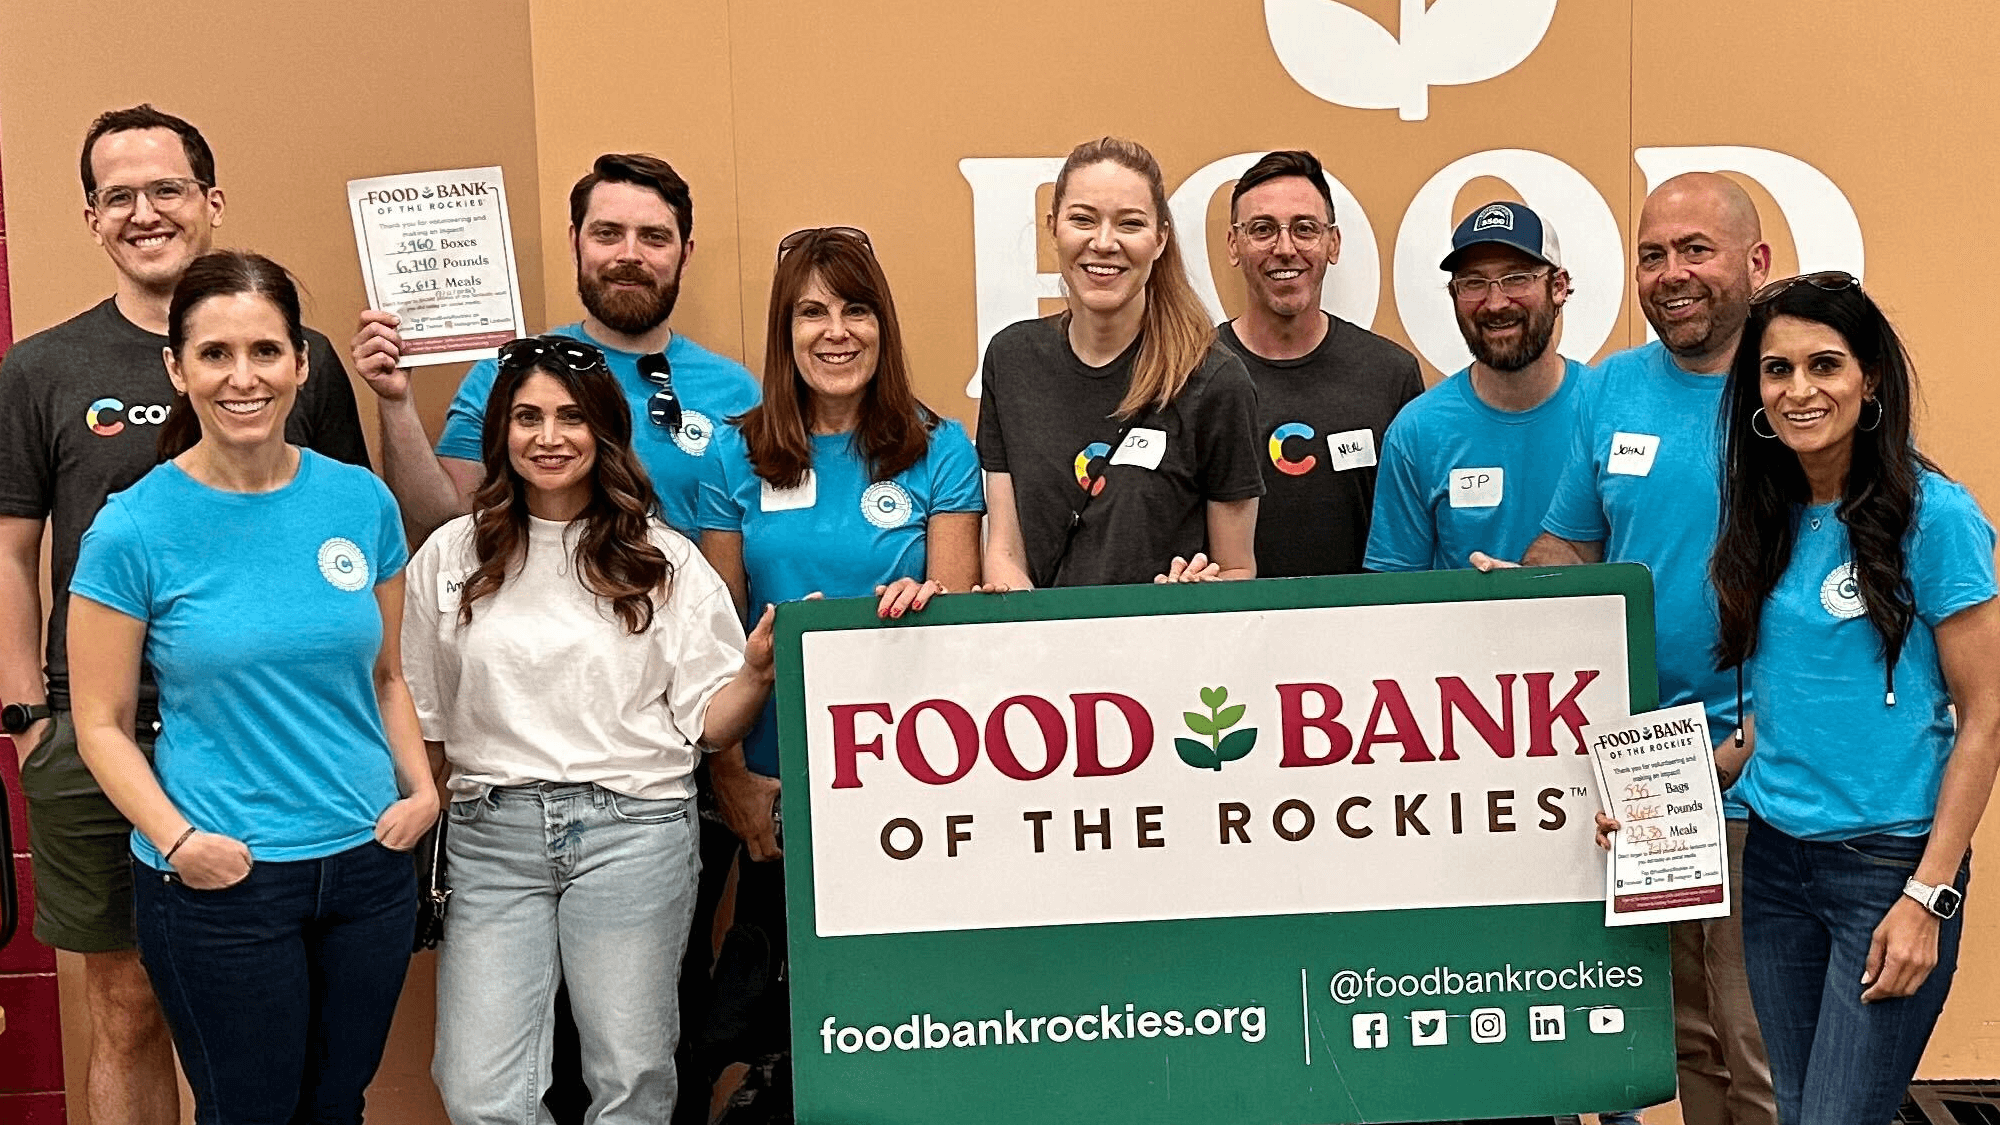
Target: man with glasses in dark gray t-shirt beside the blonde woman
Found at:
x=1327, y=389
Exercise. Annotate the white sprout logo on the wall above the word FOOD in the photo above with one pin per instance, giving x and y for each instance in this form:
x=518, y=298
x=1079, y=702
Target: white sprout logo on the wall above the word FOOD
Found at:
x=1343, y=57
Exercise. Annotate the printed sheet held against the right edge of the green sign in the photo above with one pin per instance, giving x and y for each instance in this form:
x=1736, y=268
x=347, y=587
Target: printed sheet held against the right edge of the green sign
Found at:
x=1669, y=860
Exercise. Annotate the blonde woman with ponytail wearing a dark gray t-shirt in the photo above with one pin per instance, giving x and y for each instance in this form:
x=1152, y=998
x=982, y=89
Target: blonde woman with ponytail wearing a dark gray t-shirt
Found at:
x=1119, y=439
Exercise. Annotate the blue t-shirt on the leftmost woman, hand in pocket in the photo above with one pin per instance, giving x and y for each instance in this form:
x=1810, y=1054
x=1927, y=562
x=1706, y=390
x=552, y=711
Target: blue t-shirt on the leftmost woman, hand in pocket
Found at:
x=263, y=632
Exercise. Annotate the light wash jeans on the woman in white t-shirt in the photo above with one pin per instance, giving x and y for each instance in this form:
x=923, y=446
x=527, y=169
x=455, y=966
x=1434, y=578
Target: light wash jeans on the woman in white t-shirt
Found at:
x=563, y=884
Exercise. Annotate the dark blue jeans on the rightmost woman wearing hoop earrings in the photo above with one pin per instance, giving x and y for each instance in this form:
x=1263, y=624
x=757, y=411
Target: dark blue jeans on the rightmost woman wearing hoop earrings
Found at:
x=1811, y=912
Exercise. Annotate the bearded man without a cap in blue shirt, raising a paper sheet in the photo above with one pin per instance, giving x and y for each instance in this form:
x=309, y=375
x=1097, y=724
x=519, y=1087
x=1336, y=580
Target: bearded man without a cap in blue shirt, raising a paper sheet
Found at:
x=631, y=237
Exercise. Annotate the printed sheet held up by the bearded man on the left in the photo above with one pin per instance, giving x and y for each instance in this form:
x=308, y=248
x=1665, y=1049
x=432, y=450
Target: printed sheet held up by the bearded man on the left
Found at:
x=439, y=253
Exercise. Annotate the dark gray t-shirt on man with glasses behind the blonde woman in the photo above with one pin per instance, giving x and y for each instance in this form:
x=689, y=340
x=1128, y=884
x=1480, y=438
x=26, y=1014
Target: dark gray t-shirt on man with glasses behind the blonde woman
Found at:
x=1321, y=423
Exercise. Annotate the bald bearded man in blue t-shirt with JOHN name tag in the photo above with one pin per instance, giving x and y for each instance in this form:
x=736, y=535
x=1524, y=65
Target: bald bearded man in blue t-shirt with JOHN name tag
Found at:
x=1643, y=485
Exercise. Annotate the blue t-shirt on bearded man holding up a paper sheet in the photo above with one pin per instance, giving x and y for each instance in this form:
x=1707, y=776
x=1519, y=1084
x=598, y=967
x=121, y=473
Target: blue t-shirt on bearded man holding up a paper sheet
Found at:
x=709, y=387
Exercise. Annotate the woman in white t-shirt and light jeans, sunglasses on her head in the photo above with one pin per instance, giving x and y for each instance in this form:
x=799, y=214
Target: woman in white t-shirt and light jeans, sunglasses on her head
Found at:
x=571, y=658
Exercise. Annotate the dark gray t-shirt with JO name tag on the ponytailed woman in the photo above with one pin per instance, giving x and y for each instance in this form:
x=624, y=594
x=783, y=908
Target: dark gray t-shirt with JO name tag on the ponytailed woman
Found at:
x=1047, y=419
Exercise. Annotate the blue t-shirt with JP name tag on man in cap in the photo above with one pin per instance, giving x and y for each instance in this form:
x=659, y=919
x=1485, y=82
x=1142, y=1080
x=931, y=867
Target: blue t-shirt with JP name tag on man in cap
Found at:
x=1459, y=475
